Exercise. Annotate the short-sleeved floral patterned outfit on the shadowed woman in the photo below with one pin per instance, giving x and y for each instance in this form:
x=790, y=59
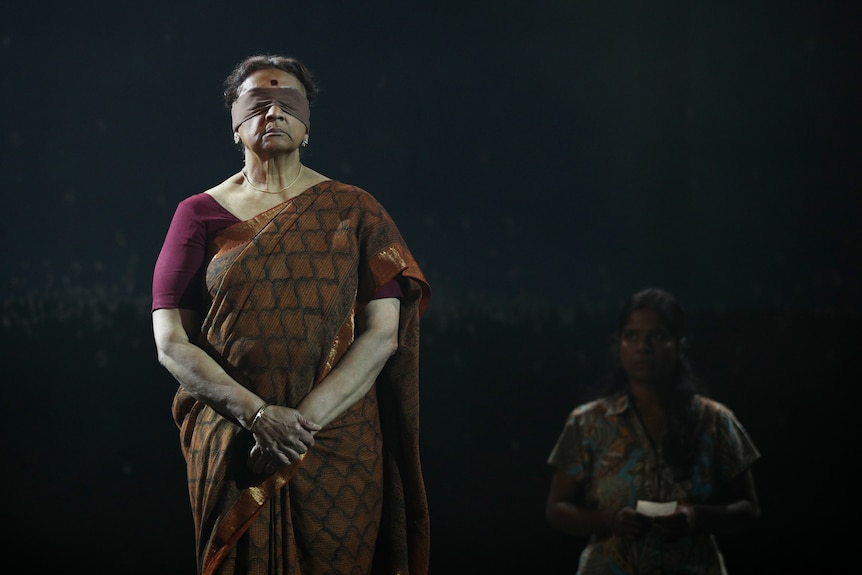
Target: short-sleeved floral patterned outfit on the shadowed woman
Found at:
x=604, y=445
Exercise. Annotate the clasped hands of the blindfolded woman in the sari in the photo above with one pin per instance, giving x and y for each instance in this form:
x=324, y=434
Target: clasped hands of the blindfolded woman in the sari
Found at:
x=281, y=436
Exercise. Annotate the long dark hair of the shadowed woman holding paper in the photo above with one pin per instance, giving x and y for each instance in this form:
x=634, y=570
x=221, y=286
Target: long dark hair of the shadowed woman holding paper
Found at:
x=683, y=424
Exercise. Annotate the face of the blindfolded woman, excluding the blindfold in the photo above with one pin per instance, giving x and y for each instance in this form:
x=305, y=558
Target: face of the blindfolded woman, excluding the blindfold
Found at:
x=275, y=131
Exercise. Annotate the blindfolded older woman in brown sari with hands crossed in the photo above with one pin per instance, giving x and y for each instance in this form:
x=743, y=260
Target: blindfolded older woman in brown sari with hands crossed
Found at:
x=287, y=306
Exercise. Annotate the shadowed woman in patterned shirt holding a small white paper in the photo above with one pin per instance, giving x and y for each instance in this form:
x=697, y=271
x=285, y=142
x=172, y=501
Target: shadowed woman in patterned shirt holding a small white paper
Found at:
x=652, y=469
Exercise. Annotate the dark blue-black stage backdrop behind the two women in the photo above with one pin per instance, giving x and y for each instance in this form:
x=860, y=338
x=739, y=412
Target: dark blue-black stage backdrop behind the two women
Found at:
x=542, y=159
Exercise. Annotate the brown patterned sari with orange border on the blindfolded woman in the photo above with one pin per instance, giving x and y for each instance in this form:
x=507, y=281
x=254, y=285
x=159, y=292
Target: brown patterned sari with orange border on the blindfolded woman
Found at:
x=285, y=288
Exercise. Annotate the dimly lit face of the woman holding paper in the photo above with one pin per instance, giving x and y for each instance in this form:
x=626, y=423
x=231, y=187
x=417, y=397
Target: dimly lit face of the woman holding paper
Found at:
x=648, y=351
